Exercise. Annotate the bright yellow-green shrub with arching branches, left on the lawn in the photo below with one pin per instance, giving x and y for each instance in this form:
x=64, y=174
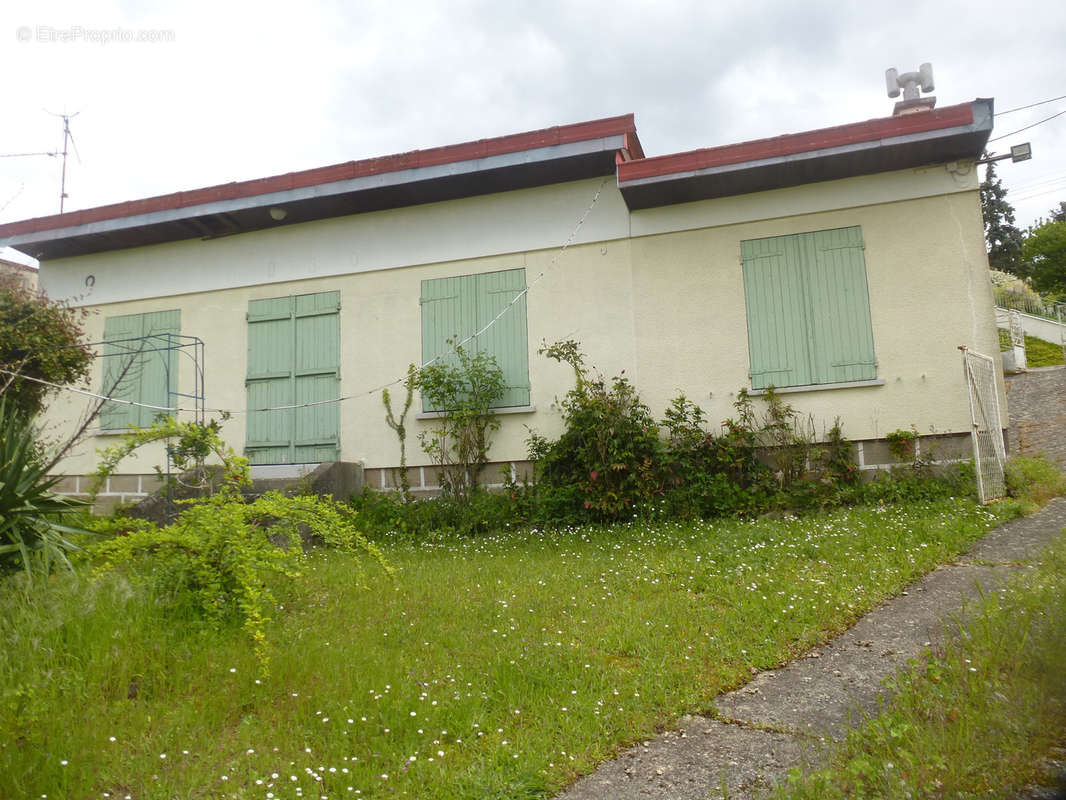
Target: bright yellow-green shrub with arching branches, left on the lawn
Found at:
x=220, y=554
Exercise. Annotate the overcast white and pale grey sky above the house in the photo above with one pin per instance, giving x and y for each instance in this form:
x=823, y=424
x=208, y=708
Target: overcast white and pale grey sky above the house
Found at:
x=214, y=92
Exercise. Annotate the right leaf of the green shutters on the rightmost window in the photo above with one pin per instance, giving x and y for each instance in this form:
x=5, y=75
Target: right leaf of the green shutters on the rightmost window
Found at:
x=841, y=308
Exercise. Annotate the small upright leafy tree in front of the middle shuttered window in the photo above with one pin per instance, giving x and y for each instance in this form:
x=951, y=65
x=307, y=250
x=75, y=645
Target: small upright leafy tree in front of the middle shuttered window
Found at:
x=464, y=392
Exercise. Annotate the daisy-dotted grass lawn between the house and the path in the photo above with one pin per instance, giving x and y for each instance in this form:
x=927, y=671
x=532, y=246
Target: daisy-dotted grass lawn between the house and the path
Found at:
x=494, y=667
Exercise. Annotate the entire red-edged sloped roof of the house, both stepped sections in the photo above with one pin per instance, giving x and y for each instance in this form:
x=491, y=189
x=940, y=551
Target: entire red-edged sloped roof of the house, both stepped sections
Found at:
x=536, y=158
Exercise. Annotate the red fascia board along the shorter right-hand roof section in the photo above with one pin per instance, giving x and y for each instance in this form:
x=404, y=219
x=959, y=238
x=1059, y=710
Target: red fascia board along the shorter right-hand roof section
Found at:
x=794, y=143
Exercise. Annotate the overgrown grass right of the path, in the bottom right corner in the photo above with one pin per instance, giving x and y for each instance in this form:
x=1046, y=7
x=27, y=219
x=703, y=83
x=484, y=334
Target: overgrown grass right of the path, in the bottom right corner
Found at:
x=975, y=719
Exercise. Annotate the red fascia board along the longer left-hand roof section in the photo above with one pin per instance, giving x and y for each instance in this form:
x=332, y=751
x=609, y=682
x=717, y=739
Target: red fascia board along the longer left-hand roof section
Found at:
x=623, y=125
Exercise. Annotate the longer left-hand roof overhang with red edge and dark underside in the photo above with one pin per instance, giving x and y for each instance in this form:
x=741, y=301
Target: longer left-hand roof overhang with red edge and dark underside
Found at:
x=539, y=158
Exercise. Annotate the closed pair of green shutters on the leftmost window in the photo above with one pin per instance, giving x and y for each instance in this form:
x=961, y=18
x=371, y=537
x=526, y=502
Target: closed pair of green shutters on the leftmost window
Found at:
x=140, y=365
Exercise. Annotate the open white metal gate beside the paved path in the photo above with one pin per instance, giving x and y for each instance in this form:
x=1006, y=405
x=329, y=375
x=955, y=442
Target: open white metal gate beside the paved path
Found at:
x=990, y=453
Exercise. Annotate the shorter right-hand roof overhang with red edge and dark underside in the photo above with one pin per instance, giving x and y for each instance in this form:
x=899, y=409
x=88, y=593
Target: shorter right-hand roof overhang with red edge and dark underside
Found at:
x=954, y=134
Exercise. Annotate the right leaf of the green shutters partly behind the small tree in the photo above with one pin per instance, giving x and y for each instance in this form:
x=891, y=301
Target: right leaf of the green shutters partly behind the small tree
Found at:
x=507, y=339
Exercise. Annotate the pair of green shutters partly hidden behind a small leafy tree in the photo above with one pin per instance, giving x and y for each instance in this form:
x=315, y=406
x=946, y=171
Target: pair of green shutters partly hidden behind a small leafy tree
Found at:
x=456, y=309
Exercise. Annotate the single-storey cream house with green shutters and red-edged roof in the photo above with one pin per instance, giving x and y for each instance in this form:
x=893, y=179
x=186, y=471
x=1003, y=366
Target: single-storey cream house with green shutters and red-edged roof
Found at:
x=843, y=266
